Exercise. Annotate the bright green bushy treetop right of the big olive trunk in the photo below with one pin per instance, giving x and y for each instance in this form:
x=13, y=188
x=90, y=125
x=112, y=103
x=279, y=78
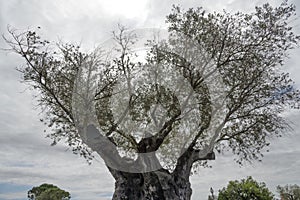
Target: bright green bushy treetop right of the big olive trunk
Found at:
x=246, y=189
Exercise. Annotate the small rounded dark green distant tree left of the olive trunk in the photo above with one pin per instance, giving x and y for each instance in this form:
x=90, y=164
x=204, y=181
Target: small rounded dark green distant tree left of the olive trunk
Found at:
x=48, y=192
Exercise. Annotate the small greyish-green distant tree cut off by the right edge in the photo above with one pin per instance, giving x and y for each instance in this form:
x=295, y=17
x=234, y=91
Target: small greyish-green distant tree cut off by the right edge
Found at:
x=289, y=192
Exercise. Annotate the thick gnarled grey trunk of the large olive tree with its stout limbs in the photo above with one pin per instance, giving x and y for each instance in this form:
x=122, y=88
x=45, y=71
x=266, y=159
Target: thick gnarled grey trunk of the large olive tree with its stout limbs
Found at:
x=160, y=184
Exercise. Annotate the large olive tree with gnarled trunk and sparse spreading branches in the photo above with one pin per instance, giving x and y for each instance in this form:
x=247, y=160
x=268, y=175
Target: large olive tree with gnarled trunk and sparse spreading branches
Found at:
x=216, y=83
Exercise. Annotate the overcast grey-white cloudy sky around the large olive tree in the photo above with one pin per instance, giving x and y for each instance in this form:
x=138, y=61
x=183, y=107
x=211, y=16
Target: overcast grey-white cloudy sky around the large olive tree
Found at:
x=26, y=157
